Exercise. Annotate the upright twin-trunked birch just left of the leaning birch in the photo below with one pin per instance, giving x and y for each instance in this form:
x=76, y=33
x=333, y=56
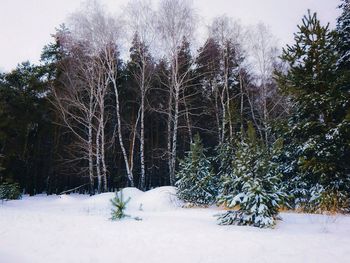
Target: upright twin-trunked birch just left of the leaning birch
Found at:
x=97, y=31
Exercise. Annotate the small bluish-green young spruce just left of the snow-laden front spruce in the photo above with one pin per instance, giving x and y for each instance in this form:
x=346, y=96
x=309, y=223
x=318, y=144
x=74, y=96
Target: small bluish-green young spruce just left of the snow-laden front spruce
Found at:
x=196, y=182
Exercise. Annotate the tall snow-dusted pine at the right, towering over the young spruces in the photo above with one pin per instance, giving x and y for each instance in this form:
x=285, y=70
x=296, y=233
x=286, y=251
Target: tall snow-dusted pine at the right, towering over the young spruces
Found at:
x=317, y=136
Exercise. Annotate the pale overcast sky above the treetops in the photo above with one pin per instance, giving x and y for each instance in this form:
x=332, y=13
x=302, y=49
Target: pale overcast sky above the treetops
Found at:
x=26, y=25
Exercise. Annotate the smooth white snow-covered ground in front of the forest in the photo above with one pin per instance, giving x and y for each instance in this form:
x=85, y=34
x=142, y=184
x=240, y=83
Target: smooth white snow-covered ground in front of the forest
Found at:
x=76, y=228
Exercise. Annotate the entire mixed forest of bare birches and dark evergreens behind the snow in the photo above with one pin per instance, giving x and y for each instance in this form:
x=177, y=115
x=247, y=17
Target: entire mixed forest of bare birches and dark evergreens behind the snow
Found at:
x=144, y=100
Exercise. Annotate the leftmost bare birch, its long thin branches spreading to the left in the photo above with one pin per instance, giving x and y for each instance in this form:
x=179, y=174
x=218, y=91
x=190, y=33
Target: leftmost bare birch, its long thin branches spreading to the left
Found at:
x=75, y=101
